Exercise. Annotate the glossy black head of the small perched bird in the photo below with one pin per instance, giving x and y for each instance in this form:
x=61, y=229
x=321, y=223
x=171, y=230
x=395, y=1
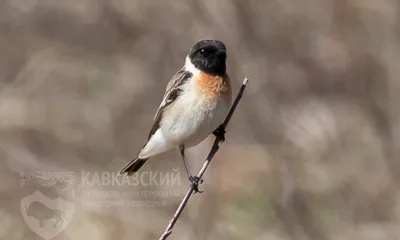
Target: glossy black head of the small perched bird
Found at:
x=209, y=56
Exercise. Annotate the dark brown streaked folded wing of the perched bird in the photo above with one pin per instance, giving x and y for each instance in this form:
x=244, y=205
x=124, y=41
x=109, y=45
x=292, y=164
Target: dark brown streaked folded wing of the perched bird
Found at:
x=171, y=93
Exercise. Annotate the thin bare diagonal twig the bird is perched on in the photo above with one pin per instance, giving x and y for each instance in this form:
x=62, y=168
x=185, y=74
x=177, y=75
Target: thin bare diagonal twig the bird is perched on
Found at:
x=207, y=162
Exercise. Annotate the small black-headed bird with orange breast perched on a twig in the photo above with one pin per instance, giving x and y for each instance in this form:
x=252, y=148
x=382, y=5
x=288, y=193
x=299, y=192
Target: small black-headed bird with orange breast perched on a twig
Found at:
x=195, y=103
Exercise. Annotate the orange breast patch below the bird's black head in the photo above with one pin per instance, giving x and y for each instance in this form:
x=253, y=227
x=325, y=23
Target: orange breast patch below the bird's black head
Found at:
x=214, y=86
